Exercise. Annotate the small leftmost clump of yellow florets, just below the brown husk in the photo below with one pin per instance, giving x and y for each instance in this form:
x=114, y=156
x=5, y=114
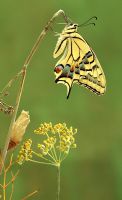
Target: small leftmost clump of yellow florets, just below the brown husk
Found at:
x=25, y=153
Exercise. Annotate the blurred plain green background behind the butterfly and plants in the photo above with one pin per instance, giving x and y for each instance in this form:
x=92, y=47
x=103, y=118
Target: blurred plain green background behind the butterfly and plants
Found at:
x=94, y=170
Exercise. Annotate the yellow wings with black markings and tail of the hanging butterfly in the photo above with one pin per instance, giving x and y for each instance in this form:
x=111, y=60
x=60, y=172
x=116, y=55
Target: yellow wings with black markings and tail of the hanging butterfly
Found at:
x=78, y=63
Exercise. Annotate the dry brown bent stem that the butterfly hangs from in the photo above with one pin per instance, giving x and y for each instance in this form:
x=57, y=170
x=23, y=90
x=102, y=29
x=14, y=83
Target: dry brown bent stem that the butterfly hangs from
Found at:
x=24, y=68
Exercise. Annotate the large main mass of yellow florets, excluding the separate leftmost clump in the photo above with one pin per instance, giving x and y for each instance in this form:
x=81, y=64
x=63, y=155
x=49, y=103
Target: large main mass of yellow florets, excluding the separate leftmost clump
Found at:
x=62, y=136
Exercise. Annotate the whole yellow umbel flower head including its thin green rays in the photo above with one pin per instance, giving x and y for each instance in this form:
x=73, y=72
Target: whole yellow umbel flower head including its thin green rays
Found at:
x=55, y=143
